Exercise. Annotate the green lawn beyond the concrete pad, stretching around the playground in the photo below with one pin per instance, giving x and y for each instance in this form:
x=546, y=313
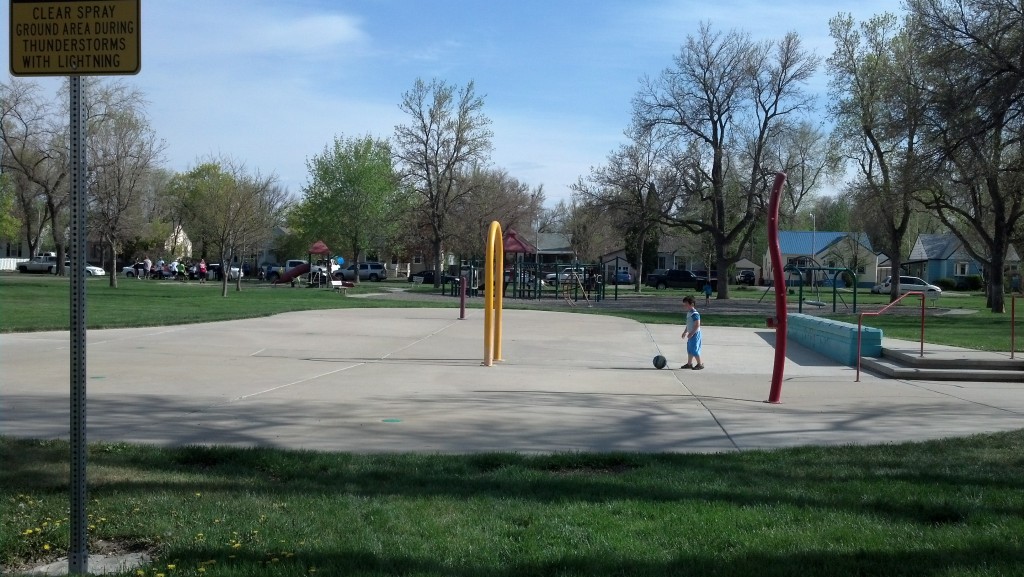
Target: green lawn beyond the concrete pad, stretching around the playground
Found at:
x=41, y=303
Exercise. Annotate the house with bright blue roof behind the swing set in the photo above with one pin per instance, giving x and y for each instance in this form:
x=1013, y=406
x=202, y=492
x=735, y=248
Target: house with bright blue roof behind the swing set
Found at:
x=818, y=257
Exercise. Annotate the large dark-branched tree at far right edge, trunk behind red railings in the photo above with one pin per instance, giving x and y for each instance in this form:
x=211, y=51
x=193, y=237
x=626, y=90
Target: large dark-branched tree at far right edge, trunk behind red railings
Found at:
x=975, y=78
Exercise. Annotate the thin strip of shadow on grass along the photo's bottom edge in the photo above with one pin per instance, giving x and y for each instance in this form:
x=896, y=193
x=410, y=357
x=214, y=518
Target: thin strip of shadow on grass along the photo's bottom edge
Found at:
x=972, y=559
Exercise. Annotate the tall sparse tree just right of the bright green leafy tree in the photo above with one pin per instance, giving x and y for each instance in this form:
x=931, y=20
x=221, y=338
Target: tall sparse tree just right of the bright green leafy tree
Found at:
x=447, y=136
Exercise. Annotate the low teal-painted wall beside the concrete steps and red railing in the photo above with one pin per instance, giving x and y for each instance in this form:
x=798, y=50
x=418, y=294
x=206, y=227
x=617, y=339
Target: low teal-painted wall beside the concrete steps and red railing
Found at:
x=835, y=340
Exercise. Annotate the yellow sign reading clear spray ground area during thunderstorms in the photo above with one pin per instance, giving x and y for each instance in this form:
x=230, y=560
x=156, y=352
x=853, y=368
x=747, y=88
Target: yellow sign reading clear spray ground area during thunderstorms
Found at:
x=64, y=38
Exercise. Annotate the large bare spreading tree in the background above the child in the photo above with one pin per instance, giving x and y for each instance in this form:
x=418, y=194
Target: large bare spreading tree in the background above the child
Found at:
x=728, y=99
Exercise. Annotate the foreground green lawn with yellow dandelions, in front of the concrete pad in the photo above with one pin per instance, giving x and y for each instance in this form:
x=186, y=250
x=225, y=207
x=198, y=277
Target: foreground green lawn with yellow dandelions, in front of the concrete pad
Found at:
x=952, y=508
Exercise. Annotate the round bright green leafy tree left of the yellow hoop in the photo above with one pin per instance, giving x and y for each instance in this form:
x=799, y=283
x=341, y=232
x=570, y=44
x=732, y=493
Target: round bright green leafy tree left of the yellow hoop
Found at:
x=352, y=197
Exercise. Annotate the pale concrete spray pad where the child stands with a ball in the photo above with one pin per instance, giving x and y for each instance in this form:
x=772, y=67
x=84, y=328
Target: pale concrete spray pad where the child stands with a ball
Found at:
x=410, y=380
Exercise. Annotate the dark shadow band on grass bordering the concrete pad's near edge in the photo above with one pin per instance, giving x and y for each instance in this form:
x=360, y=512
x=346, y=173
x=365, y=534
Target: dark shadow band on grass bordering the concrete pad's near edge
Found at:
x=916, y=483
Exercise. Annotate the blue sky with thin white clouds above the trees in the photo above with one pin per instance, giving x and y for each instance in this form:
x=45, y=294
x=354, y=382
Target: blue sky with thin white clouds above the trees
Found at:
x=270, y=84
